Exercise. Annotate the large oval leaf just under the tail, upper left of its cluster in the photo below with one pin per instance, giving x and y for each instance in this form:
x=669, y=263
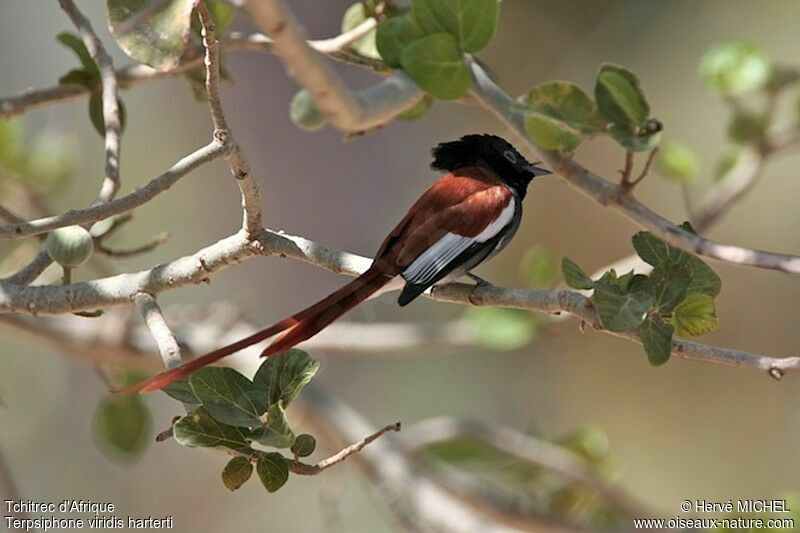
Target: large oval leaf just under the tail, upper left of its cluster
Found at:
x=229, y=397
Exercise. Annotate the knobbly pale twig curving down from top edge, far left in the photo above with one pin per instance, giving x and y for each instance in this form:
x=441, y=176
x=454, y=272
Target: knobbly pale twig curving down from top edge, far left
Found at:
x=111, y=113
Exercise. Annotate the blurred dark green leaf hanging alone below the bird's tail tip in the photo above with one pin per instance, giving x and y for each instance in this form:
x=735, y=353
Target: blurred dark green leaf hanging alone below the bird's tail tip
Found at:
x=122, y=425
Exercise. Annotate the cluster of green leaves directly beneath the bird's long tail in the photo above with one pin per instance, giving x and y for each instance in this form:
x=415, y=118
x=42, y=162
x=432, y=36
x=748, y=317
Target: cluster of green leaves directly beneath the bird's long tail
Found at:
x=233, y=412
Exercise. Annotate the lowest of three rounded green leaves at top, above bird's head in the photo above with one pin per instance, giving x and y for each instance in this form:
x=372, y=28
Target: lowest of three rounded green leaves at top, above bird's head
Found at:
x=436, y=65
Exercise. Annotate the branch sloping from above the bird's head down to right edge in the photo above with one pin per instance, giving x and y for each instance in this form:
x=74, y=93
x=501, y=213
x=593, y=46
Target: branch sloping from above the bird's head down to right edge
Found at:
x=610, y=194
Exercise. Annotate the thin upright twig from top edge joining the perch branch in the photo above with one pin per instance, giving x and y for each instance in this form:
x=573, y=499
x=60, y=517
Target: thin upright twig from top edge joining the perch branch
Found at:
x=251, y=202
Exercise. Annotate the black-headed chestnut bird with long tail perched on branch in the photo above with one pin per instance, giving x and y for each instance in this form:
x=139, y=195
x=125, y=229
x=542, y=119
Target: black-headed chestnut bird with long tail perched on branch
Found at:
x=464, y=219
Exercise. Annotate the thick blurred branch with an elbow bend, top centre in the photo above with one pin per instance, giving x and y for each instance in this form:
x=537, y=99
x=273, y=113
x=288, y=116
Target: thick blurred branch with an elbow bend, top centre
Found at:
x=342, y=107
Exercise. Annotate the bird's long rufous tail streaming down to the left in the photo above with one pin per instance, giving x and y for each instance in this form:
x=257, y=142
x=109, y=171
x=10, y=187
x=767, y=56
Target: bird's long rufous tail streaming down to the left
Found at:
x=298, y=327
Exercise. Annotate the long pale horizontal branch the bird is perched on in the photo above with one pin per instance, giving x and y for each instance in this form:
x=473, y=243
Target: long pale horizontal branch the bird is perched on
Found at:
x=120, y=289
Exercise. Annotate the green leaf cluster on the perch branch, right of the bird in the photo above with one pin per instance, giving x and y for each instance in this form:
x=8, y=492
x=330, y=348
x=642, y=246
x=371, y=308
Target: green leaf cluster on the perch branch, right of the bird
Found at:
x=675, y=299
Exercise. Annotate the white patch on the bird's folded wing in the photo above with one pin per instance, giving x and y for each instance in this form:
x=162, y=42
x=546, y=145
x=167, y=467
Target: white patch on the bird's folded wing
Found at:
x=433, y=260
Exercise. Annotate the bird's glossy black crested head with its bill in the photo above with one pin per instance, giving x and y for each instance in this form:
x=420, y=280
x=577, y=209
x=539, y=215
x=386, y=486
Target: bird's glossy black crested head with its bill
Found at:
x=491, y=152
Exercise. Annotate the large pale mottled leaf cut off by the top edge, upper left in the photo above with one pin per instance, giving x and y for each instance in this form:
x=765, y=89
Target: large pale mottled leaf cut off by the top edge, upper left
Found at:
x=158, y=41
